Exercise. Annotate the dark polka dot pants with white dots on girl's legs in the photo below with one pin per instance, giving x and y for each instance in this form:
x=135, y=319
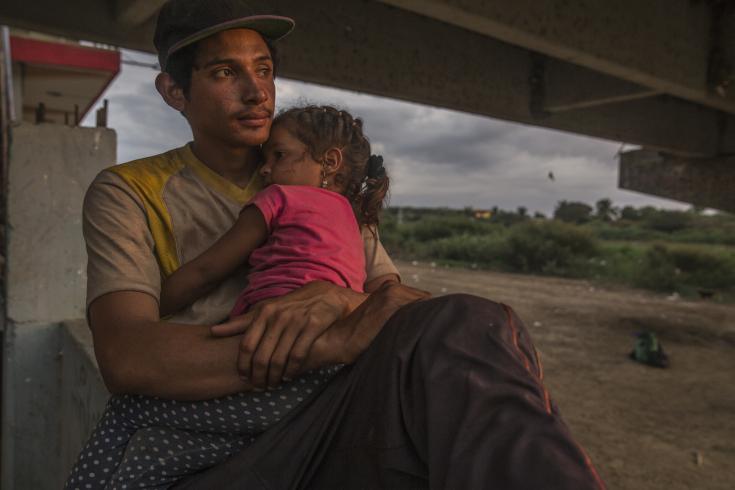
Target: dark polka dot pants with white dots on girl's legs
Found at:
x=146, y=442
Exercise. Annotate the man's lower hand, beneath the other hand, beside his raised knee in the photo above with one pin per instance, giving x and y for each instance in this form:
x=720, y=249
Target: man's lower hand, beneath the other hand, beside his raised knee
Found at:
x=351, y=336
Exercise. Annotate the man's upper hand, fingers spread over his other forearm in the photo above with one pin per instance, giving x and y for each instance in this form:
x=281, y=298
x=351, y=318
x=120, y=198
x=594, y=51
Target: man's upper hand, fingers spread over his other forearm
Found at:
x=279, y=333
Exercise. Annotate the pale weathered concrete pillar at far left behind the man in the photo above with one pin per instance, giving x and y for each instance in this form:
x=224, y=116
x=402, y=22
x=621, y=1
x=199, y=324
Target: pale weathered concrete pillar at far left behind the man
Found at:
x=50, y=168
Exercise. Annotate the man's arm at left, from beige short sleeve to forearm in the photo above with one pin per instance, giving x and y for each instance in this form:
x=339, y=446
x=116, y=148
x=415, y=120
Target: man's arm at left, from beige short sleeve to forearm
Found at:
x=136, y=352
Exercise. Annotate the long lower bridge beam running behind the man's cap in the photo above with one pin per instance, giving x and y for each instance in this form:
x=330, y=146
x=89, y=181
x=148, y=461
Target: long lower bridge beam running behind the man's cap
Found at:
x=375, y=48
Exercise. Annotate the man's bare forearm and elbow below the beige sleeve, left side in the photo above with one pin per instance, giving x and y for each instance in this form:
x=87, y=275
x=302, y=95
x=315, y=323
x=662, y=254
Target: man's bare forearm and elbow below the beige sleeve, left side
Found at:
x=138, y=354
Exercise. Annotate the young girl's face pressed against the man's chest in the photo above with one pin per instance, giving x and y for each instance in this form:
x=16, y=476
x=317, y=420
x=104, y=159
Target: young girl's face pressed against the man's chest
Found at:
x=288, y=161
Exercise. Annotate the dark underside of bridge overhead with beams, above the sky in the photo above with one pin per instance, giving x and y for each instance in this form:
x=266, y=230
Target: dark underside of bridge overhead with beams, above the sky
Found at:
x=660, y=74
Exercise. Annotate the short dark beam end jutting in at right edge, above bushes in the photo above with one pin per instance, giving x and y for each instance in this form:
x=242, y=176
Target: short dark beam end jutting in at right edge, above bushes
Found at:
x=702, y=182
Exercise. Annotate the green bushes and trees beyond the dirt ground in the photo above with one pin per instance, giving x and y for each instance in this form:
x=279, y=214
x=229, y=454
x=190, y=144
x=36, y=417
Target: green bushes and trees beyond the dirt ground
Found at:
x=684, y=252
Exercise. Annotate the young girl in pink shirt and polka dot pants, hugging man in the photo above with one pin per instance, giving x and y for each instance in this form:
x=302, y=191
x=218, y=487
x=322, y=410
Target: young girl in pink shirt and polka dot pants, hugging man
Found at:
x=323, y=185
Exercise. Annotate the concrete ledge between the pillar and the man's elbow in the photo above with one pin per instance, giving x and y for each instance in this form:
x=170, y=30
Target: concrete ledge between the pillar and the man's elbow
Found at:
x=83, y=393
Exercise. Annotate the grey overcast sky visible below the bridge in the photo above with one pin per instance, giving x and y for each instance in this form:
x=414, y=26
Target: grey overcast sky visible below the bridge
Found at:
x=435, y=157
